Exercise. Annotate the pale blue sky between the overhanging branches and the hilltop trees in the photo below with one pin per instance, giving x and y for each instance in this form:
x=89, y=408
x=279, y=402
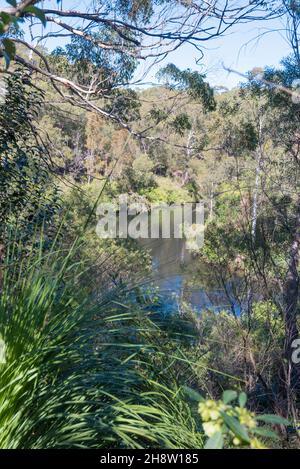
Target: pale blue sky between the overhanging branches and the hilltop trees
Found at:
x=239, y=50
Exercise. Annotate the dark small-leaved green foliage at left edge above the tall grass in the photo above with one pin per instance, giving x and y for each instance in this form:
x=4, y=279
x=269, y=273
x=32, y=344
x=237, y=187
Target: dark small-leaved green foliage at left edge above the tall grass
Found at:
x=28, y=197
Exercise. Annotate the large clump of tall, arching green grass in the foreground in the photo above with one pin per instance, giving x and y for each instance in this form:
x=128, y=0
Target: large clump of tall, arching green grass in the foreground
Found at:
x=81, y=371
